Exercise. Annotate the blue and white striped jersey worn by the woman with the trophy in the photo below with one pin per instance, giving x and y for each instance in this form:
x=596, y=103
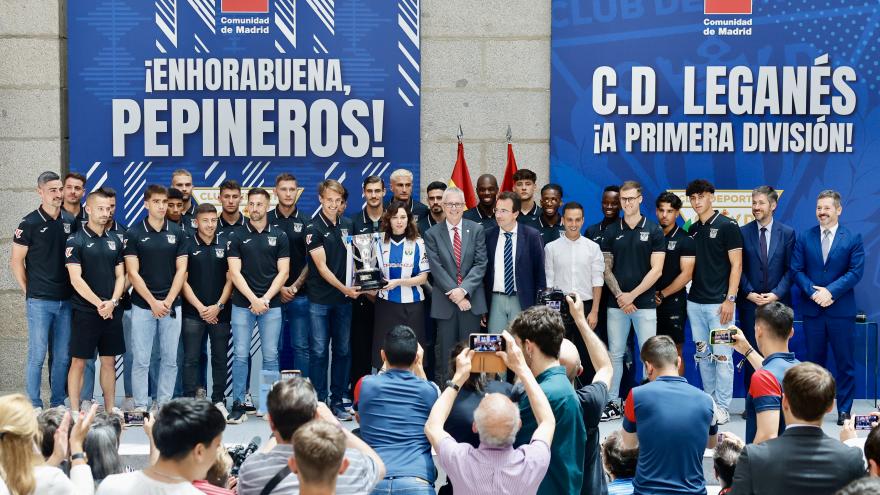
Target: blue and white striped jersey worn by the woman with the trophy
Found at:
x=403, y=259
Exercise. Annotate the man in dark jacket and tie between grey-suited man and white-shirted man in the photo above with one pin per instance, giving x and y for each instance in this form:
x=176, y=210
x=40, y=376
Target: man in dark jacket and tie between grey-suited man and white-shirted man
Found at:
x=515, y=268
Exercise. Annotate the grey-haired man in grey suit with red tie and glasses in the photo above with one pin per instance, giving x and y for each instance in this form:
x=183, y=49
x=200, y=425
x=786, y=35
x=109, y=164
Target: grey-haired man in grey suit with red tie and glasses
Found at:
x=456, y=252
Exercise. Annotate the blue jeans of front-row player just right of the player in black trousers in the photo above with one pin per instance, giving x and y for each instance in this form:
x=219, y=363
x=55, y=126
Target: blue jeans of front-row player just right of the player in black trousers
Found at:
x=243, y=322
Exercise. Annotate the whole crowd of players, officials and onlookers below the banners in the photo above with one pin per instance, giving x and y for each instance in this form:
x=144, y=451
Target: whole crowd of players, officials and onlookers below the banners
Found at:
x=176, y=291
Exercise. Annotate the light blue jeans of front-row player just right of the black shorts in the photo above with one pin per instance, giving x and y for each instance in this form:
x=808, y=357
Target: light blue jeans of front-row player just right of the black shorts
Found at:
x=144, y=328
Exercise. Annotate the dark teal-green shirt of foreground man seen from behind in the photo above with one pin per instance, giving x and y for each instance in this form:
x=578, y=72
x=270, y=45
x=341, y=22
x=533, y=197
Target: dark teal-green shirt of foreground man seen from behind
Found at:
x=566, y=471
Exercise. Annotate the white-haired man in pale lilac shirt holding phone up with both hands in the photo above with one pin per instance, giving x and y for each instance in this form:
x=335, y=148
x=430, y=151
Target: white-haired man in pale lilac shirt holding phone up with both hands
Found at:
x=494, y=467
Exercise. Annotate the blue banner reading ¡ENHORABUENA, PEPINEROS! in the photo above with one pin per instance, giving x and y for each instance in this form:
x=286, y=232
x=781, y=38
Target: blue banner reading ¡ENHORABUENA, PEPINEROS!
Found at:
x=244, y=90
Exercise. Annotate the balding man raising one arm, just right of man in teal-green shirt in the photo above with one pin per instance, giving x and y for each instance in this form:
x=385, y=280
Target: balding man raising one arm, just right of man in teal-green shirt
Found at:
x=592, y=396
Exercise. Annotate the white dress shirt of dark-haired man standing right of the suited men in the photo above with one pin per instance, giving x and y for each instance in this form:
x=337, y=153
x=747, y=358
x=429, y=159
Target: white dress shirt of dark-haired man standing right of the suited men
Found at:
x=574, y=266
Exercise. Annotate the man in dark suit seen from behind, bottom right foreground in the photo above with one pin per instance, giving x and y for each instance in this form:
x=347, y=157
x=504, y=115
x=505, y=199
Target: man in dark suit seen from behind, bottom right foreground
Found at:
x=803, y=459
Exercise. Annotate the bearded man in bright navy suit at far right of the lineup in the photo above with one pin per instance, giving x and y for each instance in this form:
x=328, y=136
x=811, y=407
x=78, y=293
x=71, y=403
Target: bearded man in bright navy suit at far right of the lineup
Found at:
x=827, y=263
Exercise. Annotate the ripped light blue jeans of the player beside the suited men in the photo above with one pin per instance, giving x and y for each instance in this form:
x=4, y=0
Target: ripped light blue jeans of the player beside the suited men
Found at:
x=715, y=362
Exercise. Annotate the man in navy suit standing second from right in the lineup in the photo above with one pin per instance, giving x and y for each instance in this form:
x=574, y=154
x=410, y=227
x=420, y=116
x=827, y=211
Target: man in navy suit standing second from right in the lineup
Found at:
x=766, y=277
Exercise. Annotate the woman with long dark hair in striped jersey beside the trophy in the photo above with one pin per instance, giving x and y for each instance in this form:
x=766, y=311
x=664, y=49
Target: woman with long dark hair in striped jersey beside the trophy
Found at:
x=405, y=267
